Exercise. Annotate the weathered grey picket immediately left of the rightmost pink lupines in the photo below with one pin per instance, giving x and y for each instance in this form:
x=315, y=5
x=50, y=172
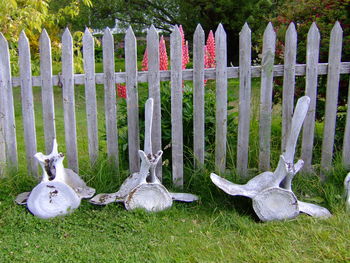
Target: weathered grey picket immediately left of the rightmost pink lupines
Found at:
x=198, y=96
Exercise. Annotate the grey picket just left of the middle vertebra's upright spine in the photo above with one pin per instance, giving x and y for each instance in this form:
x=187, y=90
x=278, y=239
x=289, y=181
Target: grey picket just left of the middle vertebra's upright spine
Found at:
x=132, y=100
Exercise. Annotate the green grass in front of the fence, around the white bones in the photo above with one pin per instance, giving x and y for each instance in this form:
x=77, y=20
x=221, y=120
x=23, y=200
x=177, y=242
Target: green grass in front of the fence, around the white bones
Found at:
x=219, y=228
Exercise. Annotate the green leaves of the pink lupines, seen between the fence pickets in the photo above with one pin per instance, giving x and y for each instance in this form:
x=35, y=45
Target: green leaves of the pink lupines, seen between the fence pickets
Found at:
x=187, y=123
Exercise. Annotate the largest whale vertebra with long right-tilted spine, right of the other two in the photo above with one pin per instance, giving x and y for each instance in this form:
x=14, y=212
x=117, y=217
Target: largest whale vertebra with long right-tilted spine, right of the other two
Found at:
x=271, y=192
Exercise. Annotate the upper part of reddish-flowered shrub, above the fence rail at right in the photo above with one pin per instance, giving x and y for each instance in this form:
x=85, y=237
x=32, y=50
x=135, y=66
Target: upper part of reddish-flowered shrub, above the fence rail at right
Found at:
x=324, y=13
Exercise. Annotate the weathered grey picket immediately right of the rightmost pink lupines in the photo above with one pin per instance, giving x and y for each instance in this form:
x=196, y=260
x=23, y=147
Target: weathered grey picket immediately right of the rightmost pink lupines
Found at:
x=221, y=99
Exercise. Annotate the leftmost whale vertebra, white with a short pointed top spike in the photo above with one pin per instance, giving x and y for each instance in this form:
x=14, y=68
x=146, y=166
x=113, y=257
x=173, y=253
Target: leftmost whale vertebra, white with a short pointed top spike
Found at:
x=60, y=190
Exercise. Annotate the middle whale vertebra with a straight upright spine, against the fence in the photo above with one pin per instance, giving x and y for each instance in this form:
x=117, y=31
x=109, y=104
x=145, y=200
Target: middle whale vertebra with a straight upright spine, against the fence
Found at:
x=143, y=189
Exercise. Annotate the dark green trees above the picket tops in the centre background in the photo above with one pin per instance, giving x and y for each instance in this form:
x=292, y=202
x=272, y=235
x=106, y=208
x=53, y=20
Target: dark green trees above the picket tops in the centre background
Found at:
x=164, y=14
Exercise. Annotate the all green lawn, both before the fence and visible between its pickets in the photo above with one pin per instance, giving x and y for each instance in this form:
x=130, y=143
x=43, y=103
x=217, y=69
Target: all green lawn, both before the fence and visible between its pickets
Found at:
x=218, y=228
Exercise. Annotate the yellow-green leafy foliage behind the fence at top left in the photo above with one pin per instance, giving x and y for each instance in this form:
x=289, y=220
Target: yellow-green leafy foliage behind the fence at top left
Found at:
x=34, y=15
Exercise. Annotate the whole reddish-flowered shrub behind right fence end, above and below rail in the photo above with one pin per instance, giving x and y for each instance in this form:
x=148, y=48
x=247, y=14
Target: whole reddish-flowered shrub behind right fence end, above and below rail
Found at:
x=325, y=13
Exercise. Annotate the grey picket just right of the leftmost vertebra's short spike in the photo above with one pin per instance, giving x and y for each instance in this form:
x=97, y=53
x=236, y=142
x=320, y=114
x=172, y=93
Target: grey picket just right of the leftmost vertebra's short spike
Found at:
x=69, y=100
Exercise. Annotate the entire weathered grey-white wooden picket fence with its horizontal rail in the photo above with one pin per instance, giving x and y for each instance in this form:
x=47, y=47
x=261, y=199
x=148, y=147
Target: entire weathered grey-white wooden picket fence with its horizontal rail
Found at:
x=267, y=71
